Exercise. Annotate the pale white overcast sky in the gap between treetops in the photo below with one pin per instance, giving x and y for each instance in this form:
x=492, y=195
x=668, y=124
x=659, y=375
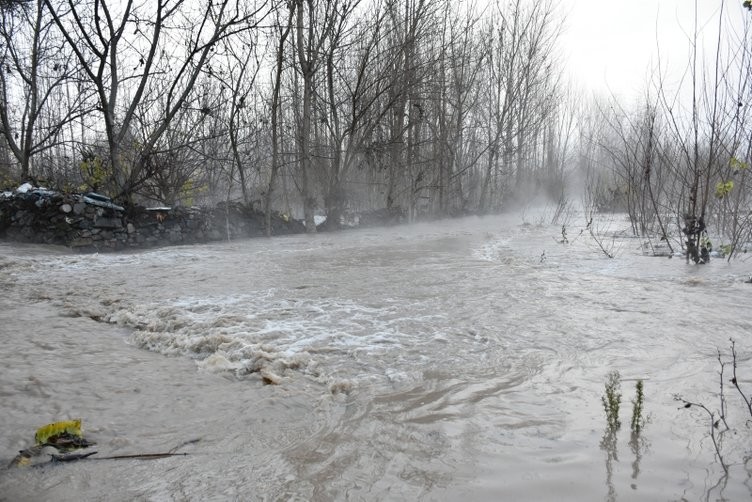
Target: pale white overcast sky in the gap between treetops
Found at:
x=612, y=45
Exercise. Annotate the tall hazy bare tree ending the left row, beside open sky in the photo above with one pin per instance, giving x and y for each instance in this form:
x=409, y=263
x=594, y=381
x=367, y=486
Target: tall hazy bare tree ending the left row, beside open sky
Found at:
x=521, y=97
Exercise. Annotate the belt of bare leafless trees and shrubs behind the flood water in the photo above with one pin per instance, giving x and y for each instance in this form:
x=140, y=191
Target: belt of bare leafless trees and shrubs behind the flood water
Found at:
x=316, y=108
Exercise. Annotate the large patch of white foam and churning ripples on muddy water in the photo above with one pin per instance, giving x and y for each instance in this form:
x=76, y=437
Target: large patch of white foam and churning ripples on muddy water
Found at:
x=253, y=333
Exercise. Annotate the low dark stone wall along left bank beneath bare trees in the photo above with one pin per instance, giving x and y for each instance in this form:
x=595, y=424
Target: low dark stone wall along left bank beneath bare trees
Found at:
x=91, y=222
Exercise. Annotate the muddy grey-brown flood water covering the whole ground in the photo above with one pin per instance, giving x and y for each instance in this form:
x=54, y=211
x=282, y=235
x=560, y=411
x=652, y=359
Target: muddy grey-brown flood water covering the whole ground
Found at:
x=458, y=360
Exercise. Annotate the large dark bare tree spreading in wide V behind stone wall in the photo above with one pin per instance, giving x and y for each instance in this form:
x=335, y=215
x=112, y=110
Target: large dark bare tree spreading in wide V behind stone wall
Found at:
x=127, y=68
